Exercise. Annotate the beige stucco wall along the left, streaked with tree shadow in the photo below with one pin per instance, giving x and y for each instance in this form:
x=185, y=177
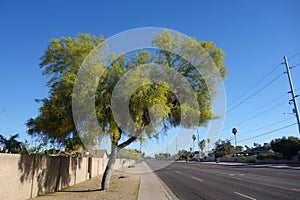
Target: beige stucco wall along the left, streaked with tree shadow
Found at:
x=27, y=176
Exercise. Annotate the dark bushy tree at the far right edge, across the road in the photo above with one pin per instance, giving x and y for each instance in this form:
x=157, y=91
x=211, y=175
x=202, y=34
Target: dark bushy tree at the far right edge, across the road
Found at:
x=288, y=147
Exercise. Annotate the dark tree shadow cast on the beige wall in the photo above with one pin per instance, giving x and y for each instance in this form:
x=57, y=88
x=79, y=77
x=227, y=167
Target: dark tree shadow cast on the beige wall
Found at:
x=46, y=174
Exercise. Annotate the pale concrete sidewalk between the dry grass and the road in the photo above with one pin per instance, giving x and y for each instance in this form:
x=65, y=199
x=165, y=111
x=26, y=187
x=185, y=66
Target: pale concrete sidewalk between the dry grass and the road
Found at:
x=151, y=187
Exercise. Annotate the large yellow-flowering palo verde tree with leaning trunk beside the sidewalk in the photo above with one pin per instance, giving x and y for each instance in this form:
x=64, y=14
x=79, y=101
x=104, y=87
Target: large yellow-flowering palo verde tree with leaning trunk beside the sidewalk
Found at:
x=151, y=103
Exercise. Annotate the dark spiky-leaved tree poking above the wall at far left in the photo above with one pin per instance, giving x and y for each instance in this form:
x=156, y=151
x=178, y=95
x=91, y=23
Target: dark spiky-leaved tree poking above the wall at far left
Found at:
x=11, y=145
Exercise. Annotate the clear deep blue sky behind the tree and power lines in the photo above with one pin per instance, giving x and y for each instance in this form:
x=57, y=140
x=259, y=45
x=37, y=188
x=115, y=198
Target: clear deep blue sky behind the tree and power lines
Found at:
x=254, y=34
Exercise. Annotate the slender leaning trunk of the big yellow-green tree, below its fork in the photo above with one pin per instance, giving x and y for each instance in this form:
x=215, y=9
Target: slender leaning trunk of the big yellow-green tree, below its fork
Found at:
x=109, y=168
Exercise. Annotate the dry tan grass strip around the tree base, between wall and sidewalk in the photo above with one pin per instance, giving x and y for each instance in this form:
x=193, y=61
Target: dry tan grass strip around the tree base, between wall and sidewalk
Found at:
x=123, y=186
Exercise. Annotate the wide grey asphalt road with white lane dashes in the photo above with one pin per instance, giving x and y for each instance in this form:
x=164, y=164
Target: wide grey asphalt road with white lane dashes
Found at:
x=193, y=181
